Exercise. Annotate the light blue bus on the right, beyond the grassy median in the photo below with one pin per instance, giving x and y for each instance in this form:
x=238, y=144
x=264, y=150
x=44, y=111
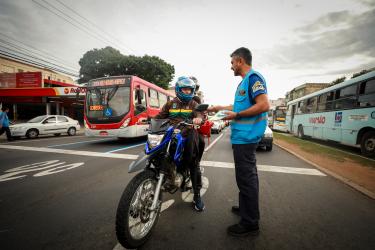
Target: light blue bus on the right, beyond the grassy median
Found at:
x=344, y=113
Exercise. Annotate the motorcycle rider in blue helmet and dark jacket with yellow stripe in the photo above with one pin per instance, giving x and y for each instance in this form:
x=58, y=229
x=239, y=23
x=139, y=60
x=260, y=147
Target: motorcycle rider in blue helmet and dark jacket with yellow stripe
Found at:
x=176, y=110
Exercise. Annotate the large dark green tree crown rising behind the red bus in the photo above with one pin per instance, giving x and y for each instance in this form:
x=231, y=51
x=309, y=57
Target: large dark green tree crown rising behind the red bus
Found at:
x=110, y=62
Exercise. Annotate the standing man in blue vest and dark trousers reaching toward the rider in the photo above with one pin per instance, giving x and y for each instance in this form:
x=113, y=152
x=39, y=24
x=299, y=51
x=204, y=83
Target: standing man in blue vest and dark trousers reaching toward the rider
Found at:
x=249, y=121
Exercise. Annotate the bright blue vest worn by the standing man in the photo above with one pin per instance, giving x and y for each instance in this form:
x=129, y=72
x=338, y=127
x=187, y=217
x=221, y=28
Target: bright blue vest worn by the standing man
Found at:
x=247, y=129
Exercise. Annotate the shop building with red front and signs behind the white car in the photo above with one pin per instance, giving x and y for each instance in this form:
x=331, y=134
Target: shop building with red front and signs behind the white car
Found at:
x=30, y=91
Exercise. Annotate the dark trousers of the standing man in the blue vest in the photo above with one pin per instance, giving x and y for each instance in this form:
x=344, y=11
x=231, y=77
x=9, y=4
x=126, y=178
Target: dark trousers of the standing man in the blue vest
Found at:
x=247, y=182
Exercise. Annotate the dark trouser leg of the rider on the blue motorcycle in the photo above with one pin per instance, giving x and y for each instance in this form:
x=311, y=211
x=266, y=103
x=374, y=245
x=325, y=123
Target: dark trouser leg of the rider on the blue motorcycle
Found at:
x=191, y=158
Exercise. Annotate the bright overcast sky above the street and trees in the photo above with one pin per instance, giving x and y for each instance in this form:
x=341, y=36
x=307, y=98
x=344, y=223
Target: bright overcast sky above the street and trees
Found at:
x=293, y=42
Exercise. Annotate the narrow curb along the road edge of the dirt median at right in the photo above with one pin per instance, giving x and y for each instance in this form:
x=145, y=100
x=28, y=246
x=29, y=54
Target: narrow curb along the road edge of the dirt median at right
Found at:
x=339, y=177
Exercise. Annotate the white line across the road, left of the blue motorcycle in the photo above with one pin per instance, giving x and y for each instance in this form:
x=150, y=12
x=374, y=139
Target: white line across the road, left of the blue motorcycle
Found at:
x=71, y=152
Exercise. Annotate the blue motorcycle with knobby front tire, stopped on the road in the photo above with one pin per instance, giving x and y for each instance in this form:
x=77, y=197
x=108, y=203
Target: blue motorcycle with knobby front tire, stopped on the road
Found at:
x=139, y=207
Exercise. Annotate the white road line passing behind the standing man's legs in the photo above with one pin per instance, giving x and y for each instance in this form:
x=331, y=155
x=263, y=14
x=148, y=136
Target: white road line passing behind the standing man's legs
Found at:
x=267, y=168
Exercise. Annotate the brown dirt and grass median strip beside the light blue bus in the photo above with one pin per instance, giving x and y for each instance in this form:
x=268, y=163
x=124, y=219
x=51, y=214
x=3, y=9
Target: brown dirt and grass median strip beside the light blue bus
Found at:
x=354, y=170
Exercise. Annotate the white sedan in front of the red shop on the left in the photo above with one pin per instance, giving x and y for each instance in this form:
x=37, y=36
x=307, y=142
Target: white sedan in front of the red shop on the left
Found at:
x=44, y=125
